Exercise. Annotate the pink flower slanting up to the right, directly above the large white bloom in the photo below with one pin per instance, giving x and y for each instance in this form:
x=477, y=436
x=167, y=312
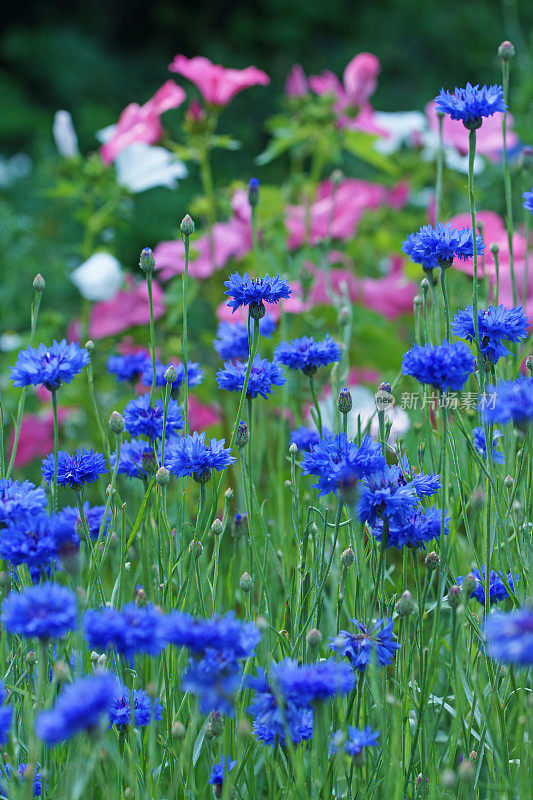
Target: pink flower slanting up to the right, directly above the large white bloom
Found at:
x=142, y=123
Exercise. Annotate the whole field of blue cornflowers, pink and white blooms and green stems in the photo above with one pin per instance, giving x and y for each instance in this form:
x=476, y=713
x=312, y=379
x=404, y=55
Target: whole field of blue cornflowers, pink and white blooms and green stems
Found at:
x=266, y=491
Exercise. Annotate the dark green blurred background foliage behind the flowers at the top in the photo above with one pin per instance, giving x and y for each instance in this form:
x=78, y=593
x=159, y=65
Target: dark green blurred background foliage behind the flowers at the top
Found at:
x=96, y=56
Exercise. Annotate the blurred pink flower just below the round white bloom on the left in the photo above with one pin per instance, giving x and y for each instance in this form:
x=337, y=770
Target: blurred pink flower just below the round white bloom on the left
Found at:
x=129, y=307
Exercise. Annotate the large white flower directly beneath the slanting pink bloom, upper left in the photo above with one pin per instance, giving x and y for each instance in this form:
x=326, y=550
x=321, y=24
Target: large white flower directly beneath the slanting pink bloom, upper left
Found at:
x=141, y=166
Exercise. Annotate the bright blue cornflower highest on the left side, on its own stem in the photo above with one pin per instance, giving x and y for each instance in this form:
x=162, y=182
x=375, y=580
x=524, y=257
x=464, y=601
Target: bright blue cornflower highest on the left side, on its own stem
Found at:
x=50, y=366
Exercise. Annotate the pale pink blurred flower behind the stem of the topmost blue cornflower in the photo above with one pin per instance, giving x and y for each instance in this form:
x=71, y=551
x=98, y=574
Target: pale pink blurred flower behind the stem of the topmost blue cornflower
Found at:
x=489, y=139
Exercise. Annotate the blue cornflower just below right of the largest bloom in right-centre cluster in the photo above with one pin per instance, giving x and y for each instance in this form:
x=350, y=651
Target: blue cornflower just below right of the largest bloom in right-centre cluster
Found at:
x=383, y=494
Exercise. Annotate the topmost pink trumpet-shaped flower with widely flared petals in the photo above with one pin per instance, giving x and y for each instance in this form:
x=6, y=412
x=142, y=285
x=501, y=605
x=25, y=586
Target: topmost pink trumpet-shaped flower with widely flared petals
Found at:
x=217, y=84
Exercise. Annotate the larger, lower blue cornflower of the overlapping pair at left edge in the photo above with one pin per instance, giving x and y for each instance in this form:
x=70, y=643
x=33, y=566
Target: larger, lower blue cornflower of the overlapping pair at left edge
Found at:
x=32, y=543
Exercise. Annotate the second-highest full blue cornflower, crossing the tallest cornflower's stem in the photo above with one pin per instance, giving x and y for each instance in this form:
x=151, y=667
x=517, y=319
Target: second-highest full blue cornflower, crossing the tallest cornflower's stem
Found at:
x=438, y=246
